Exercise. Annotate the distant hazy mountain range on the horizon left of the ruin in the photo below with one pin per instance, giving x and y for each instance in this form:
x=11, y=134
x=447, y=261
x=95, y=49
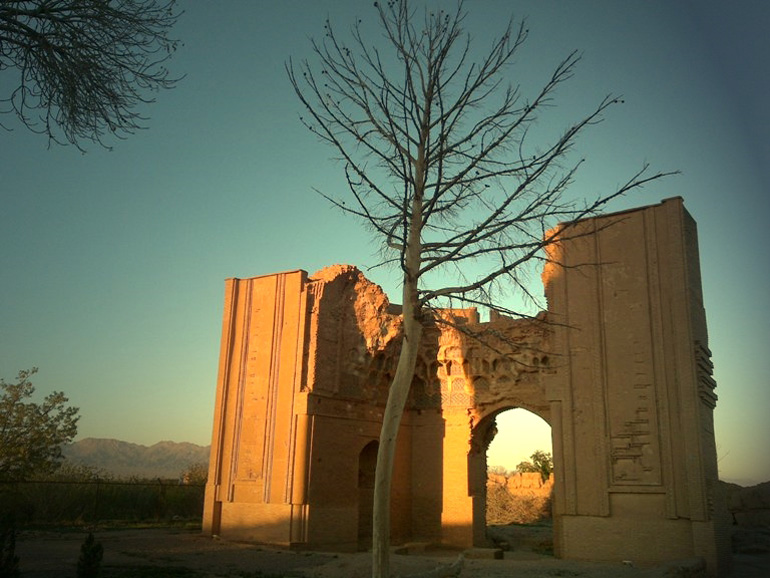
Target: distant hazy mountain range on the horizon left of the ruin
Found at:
x=123, y=459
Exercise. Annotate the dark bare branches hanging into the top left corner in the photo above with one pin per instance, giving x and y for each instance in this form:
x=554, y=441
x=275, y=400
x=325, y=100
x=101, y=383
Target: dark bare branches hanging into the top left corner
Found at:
x=85, y=65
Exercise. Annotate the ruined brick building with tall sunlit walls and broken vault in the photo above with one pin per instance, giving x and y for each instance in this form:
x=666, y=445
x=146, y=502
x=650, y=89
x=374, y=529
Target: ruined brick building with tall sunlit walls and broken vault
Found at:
x=618, y=365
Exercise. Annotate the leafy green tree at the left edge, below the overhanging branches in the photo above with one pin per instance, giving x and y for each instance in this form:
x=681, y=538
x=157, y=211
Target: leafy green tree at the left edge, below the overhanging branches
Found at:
x=32, y=434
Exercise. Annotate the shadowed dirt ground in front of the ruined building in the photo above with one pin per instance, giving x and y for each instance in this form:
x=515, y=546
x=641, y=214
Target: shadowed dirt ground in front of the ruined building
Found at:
x=185, y=553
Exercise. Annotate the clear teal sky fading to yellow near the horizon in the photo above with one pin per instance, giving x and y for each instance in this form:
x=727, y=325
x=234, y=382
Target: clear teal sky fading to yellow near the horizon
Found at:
x=112, y=263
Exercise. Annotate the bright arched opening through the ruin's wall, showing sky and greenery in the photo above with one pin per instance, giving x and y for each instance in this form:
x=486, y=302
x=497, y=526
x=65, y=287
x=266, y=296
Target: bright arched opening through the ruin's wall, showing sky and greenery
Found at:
x=519, y=482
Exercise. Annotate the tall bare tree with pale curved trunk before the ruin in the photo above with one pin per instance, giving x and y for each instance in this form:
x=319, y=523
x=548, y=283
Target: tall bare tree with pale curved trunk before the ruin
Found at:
x=436, y=150
